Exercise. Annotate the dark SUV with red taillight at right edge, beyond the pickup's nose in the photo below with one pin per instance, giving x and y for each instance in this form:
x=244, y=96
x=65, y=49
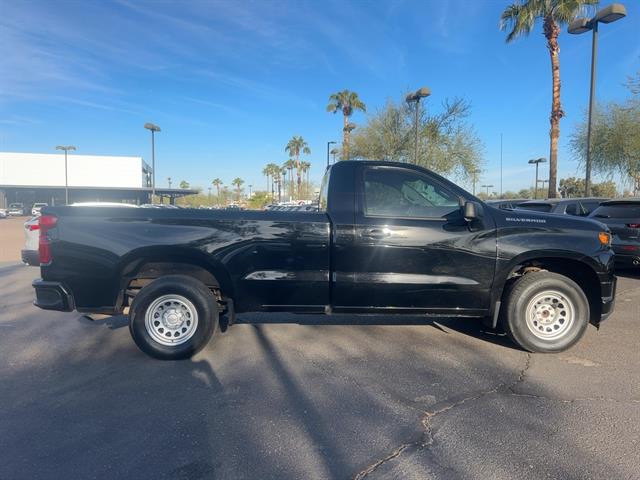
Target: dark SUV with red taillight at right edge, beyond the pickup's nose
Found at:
x=623, y=218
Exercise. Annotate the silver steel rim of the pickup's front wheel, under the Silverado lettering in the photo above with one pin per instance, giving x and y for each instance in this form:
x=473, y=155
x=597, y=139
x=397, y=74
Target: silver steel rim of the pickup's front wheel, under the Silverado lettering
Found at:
x=550, y=315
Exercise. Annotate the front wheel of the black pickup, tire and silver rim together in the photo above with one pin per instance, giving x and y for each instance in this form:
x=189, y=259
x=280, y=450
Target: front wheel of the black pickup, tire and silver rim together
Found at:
x=536, y=303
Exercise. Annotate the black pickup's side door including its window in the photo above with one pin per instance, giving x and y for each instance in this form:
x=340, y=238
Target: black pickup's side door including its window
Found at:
x=411, y=248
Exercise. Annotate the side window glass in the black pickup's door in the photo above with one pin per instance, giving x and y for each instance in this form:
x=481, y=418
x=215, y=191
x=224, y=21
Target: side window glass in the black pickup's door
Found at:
x=393, y=192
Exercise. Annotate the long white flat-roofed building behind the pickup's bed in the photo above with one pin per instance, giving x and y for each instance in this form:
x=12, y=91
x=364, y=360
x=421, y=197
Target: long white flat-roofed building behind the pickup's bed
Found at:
x=40, y=177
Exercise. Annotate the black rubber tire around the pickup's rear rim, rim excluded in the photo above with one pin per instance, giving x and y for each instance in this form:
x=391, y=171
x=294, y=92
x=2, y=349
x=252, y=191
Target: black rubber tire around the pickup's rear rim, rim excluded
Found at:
x=199, y=296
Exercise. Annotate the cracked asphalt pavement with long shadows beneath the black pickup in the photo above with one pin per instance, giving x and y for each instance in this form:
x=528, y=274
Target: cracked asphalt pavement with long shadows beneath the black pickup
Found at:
x=287, y=396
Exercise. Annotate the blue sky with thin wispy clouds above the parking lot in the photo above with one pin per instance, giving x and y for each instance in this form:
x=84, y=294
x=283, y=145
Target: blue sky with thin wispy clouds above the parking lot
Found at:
x=229, y=82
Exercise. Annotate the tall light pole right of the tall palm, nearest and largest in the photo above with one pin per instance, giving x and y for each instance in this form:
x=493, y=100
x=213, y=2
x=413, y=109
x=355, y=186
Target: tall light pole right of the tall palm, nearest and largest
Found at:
x=608, y=14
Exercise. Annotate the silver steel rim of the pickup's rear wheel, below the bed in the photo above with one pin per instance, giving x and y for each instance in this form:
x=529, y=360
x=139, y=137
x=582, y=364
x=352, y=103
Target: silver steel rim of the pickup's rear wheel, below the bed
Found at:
x=171, y=320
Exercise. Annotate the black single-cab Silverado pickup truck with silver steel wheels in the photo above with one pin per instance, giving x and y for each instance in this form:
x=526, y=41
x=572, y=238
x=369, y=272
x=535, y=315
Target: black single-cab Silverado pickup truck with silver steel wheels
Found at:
x=386, y=238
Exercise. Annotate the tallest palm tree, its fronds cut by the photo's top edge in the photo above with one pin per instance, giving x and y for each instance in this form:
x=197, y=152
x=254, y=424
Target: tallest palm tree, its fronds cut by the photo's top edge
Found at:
x=520, y=18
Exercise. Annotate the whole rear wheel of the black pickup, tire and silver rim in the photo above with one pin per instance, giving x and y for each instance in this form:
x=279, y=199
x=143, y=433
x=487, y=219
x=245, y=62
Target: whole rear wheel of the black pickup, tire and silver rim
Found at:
x=173, y=317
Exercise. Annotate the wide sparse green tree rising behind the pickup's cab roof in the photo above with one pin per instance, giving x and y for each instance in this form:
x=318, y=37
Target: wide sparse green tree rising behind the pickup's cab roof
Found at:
x=451, y=145
